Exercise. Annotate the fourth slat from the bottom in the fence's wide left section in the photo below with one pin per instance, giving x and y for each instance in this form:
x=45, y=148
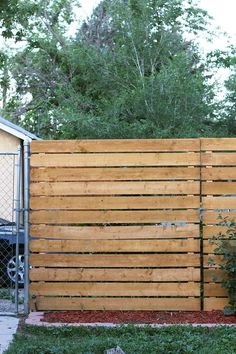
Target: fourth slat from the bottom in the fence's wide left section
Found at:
x=114, y=260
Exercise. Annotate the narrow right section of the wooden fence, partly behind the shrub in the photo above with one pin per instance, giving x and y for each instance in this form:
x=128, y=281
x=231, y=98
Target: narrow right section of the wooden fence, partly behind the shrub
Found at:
x=218, y=171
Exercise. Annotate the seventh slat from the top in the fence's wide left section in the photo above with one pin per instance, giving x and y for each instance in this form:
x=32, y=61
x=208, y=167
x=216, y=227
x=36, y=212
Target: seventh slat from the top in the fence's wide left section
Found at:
x=114, y=232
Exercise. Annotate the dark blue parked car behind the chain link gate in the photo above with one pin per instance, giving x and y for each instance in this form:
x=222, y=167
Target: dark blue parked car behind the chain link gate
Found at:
x=7, y=253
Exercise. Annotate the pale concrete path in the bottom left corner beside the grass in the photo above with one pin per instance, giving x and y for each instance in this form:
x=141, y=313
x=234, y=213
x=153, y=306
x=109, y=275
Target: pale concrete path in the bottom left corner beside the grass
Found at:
x=8, y=326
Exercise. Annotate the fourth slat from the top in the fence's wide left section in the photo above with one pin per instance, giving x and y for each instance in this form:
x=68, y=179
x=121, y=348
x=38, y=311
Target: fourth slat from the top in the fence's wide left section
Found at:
x=112, y=188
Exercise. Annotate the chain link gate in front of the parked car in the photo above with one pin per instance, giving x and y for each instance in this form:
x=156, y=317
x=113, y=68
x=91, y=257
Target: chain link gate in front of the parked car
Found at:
x=11, y=233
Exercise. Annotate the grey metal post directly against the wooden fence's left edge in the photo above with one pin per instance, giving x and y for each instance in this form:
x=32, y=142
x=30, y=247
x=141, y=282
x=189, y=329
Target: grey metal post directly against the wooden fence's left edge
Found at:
x=26, y=226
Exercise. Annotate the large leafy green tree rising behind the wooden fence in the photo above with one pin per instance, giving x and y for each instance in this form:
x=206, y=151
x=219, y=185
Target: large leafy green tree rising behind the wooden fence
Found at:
x=130, y=72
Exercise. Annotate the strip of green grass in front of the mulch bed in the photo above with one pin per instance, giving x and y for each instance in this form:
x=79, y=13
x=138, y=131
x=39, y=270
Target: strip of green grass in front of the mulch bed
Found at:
x=133, y=340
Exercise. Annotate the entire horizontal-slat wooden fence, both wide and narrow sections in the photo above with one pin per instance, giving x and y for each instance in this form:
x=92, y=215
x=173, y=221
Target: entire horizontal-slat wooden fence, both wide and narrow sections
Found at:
x=115, y=224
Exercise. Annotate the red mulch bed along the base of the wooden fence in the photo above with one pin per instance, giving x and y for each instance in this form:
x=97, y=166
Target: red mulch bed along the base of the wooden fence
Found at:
x=132, y=317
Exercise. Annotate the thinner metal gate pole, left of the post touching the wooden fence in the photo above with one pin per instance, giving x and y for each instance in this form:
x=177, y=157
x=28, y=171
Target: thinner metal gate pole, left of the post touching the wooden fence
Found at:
x=17, y=213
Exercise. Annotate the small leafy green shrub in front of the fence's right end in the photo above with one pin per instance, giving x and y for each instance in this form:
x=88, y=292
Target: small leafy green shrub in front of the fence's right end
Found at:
x=225, y=243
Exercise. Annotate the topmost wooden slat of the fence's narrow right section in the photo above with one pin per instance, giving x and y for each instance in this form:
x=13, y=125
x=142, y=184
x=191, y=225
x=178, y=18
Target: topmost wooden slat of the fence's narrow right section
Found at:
x=218, y=144
